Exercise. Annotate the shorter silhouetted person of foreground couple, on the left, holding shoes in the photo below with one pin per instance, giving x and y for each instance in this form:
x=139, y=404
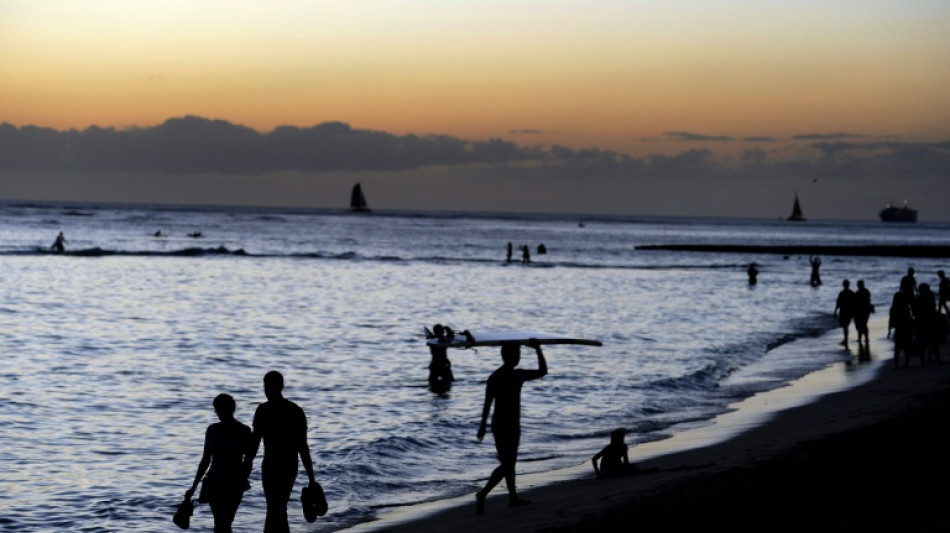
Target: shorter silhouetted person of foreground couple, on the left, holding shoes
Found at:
x=227, y=444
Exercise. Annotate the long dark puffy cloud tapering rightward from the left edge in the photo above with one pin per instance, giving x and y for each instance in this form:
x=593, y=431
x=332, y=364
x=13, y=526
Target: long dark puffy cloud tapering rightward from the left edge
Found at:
x=198, y=145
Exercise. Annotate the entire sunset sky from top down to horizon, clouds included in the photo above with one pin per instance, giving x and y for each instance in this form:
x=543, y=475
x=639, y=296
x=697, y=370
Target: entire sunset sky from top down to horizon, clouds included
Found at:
x=724, y=108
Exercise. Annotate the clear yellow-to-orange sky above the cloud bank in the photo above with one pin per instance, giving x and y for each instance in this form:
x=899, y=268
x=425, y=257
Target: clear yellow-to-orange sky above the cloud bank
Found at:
x=583, y=73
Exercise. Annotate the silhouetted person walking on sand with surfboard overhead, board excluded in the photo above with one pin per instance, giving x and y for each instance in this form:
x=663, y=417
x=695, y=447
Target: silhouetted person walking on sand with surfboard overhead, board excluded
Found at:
x=504, y=390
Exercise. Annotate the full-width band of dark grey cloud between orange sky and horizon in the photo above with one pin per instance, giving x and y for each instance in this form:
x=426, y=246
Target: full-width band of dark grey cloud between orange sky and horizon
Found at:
x=499, y=174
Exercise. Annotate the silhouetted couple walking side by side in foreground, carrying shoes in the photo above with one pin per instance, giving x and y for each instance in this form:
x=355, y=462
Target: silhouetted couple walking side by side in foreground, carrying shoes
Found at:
x=228, y=458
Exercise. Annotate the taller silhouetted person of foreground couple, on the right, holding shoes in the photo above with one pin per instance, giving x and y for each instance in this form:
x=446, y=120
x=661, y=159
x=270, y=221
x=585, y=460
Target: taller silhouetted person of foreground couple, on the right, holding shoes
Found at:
x=282, y=425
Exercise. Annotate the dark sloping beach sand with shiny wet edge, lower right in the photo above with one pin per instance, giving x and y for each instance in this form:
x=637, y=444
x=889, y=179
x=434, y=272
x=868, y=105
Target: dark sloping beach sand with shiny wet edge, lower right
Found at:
x=856, y=445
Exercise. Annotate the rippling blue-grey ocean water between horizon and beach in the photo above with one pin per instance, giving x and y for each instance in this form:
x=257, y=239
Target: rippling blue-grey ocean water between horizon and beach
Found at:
x=113, y=351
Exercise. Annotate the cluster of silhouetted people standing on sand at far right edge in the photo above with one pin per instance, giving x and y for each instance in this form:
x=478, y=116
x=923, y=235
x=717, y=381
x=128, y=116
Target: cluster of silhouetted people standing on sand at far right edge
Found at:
x=918, y=320
